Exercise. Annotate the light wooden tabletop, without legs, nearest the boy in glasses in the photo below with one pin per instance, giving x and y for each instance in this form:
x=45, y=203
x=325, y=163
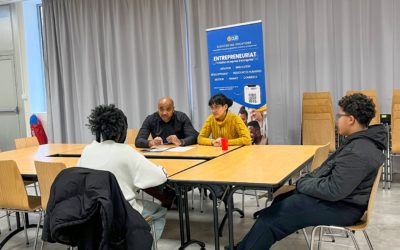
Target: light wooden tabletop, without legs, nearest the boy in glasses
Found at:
x=253, y=165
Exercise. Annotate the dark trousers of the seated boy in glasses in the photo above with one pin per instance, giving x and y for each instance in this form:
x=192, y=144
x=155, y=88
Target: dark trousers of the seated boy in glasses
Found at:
x=293, y=211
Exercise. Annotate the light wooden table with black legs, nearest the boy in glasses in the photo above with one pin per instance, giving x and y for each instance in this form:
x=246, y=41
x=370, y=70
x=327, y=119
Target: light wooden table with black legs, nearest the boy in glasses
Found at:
x=258, y=167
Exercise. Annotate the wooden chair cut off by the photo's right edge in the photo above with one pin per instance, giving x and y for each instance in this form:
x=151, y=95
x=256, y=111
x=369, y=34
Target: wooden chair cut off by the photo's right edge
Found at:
x=395, y=123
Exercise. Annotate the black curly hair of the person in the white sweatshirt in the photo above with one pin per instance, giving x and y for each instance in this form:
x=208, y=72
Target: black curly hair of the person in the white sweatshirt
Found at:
x=108, y=123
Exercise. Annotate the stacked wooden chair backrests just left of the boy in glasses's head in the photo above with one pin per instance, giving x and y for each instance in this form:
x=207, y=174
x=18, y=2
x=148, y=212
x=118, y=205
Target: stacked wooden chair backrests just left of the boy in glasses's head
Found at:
x=318, y=123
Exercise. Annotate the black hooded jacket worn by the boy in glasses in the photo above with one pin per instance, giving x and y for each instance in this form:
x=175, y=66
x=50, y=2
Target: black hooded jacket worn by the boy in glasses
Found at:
x=348, y=174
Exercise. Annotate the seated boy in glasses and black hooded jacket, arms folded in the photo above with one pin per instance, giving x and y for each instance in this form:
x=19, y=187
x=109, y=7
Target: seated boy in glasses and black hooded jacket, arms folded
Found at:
x=337, y=192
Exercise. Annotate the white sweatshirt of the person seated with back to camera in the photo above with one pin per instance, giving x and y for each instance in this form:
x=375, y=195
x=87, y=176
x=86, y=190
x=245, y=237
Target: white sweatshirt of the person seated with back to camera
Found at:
x=132, y=170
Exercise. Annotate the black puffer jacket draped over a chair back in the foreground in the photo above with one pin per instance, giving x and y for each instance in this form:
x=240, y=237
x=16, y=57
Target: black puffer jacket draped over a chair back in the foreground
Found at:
x=87, y=209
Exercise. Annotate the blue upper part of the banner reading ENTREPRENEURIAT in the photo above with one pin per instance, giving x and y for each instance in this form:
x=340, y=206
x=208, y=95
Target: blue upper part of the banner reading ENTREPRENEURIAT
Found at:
x=236, y=63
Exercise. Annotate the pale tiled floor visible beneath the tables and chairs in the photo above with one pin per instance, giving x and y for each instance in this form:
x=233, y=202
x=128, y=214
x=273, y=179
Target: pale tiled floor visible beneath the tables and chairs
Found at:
x=383, y=231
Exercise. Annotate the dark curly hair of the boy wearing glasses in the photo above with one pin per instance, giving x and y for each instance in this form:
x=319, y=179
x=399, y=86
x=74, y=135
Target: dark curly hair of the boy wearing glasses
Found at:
x=360, y=106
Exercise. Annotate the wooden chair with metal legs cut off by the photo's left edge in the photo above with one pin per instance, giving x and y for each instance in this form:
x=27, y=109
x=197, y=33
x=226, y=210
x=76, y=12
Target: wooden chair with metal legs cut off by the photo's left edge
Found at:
x=13, y=196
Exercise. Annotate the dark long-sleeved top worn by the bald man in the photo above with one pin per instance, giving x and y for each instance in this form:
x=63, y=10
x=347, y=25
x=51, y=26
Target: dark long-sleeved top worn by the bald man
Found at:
x=179, y=125
